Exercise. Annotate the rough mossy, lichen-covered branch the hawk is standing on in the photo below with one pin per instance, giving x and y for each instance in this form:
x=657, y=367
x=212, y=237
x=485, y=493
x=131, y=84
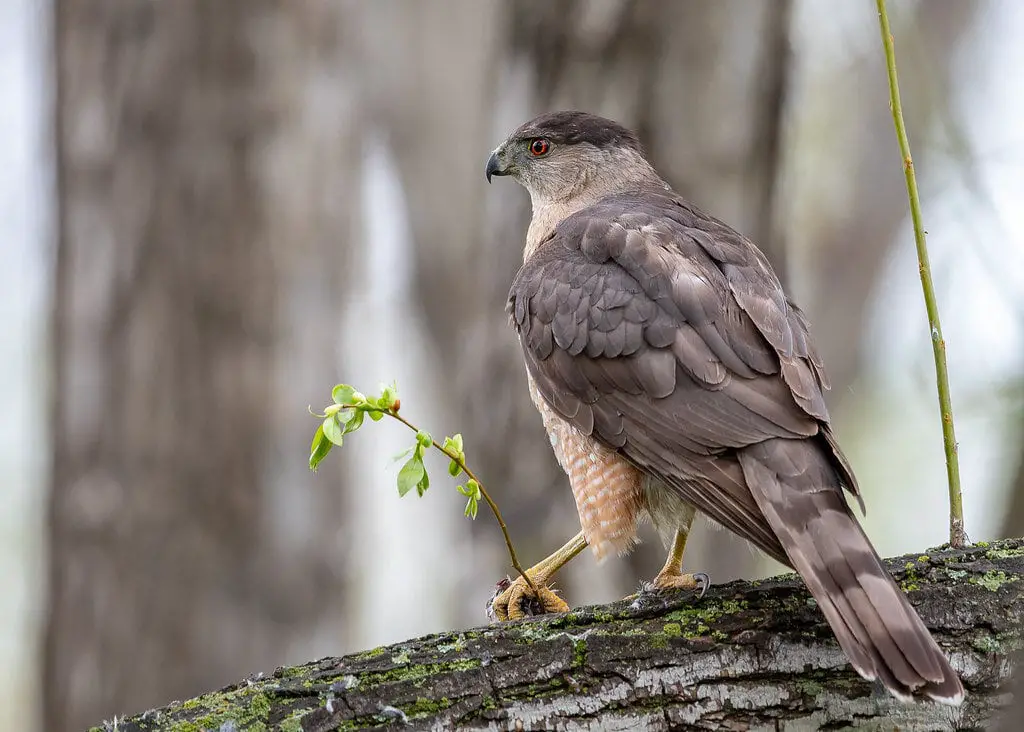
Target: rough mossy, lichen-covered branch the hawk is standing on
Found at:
x=750, y=656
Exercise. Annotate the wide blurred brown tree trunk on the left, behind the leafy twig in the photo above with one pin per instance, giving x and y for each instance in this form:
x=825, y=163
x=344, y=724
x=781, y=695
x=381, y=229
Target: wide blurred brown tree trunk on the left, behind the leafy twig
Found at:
x=191, y=245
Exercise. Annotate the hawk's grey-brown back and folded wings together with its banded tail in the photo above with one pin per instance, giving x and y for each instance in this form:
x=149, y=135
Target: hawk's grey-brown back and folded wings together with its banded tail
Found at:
x=664, y=334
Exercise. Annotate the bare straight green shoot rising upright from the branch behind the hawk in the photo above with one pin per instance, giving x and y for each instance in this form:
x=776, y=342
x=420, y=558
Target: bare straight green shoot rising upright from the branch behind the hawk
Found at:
x=957, y=534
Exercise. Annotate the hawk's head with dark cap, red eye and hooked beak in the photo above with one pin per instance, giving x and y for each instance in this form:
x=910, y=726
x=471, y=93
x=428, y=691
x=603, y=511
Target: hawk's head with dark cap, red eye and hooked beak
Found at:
x=557, y=156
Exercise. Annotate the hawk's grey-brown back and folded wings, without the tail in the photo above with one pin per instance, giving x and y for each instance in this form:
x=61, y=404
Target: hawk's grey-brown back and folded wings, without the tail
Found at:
x=664, y=334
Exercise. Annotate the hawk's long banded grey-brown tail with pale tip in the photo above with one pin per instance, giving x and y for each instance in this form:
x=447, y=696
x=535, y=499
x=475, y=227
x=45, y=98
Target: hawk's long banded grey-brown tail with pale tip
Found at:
x=796, y=487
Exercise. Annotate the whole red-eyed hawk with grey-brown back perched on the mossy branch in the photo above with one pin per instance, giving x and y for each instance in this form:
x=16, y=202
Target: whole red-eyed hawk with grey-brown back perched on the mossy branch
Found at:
x=671, y=372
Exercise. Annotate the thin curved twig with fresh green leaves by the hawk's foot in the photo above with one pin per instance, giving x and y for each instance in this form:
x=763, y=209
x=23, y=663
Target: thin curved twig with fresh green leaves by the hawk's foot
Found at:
x=346, y=416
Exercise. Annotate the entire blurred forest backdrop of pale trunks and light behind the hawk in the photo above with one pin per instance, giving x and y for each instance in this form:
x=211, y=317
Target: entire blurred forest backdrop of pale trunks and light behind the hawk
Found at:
x=215, y=210
